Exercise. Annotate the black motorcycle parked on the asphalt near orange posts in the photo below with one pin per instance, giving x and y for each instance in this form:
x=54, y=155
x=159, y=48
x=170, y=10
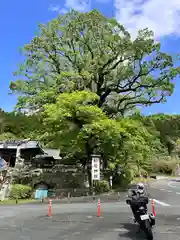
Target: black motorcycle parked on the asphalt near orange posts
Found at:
x=145, y=220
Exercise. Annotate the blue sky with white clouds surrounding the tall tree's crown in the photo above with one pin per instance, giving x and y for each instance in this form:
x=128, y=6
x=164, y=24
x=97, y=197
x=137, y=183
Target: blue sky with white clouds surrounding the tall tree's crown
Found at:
x=19, y=20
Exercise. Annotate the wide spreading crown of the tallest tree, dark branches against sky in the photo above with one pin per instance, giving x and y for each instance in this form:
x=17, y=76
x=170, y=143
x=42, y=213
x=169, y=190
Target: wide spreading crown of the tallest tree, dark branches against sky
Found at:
x=80, y=51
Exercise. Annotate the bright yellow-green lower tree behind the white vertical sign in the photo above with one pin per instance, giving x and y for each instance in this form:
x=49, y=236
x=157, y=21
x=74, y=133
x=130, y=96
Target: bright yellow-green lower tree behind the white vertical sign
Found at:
x=79, y=126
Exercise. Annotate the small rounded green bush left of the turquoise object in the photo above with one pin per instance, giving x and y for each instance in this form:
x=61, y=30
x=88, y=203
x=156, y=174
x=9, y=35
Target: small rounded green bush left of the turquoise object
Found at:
x=20, y=191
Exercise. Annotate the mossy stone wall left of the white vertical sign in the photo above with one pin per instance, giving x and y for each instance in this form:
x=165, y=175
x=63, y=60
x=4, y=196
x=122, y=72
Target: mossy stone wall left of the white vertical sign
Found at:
x=63, y=177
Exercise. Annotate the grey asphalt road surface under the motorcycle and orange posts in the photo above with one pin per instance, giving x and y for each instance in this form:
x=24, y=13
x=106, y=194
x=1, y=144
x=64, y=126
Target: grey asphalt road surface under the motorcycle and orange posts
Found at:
x=78, y=221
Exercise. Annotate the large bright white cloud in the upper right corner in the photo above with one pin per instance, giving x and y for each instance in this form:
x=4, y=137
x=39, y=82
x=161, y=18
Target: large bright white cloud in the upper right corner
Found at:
x=161, y=16
